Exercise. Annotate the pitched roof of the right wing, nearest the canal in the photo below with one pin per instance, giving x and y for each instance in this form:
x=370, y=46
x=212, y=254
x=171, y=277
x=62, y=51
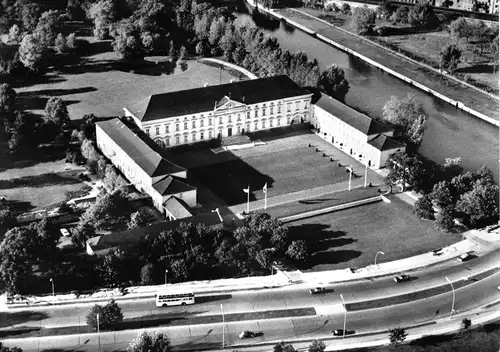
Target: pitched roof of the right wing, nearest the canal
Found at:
x=359, y=121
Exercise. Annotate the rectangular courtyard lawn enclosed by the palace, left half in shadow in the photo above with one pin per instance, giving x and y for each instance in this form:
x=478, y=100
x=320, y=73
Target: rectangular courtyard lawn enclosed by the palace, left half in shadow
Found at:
x=284, y=171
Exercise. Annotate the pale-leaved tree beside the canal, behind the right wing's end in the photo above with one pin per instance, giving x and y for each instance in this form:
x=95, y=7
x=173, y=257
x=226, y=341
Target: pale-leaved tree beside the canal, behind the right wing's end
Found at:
x=409, y=115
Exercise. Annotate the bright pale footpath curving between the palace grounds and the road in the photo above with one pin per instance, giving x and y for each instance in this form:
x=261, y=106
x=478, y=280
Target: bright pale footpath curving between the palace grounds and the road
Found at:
x=477, y=241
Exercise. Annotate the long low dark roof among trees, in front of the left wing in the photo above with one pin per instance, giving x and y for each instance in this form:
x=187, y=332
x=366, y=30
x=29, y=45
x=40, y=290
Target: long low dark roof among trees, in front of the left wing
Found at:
x=101, y=245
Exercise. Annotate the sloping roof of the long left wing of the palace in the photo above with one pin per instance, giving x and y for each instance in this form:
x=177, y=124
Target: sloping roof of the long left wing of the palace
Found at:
x=149, y=160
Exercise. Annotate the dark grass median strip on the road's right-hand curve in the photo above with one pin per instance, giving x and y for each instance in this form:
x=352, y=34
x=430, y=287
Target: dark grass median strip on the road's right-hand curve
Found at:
x=389, y=301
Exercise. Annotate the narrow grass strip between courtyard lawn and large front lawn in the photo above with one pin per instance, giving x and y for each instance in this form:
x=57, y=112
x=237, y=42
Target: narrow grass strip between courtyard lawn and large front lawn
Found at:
x=325, y=201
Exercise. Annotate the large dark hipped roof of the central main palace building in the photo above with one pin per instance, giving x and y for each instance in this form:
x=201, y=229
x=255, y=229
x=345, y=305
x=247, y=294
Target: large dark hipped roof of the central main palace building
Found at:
x=191, y=101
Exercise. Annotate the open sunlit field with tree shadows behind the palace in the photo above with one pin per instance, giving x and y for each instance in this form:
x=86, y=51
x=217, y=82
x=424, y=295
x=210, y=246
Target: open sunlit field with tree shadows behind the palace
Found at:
x=99, y=87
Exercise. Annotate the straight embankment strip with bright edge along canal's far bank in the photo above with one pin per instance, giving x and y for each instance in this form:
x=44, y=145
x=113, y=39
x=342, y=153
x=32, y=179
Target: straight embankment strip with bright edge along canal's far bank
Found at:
x=484, y=106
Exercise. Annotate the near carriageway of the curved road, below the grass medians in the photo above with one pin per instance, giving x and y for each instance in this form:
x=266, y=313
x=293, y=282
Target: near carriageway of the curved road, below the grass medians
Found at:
x=209, y=336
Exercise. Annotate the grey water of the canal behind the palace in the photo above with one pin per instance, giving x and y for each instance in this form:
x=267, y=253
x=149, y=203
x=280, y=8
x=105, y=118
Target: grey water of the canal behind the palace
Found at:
x=450, y=132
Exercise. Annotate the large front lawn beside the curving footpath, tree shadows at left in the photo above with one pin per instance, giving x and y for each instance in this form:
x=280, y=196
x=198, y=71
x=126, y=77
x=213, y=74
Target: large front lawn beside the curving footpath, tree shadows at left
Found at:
x=351, y=238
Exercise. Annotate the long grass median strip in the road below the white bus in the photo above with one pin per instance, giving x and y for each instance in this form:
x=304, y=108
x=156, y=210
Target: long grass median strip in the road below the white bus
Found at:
x=160, y=320
